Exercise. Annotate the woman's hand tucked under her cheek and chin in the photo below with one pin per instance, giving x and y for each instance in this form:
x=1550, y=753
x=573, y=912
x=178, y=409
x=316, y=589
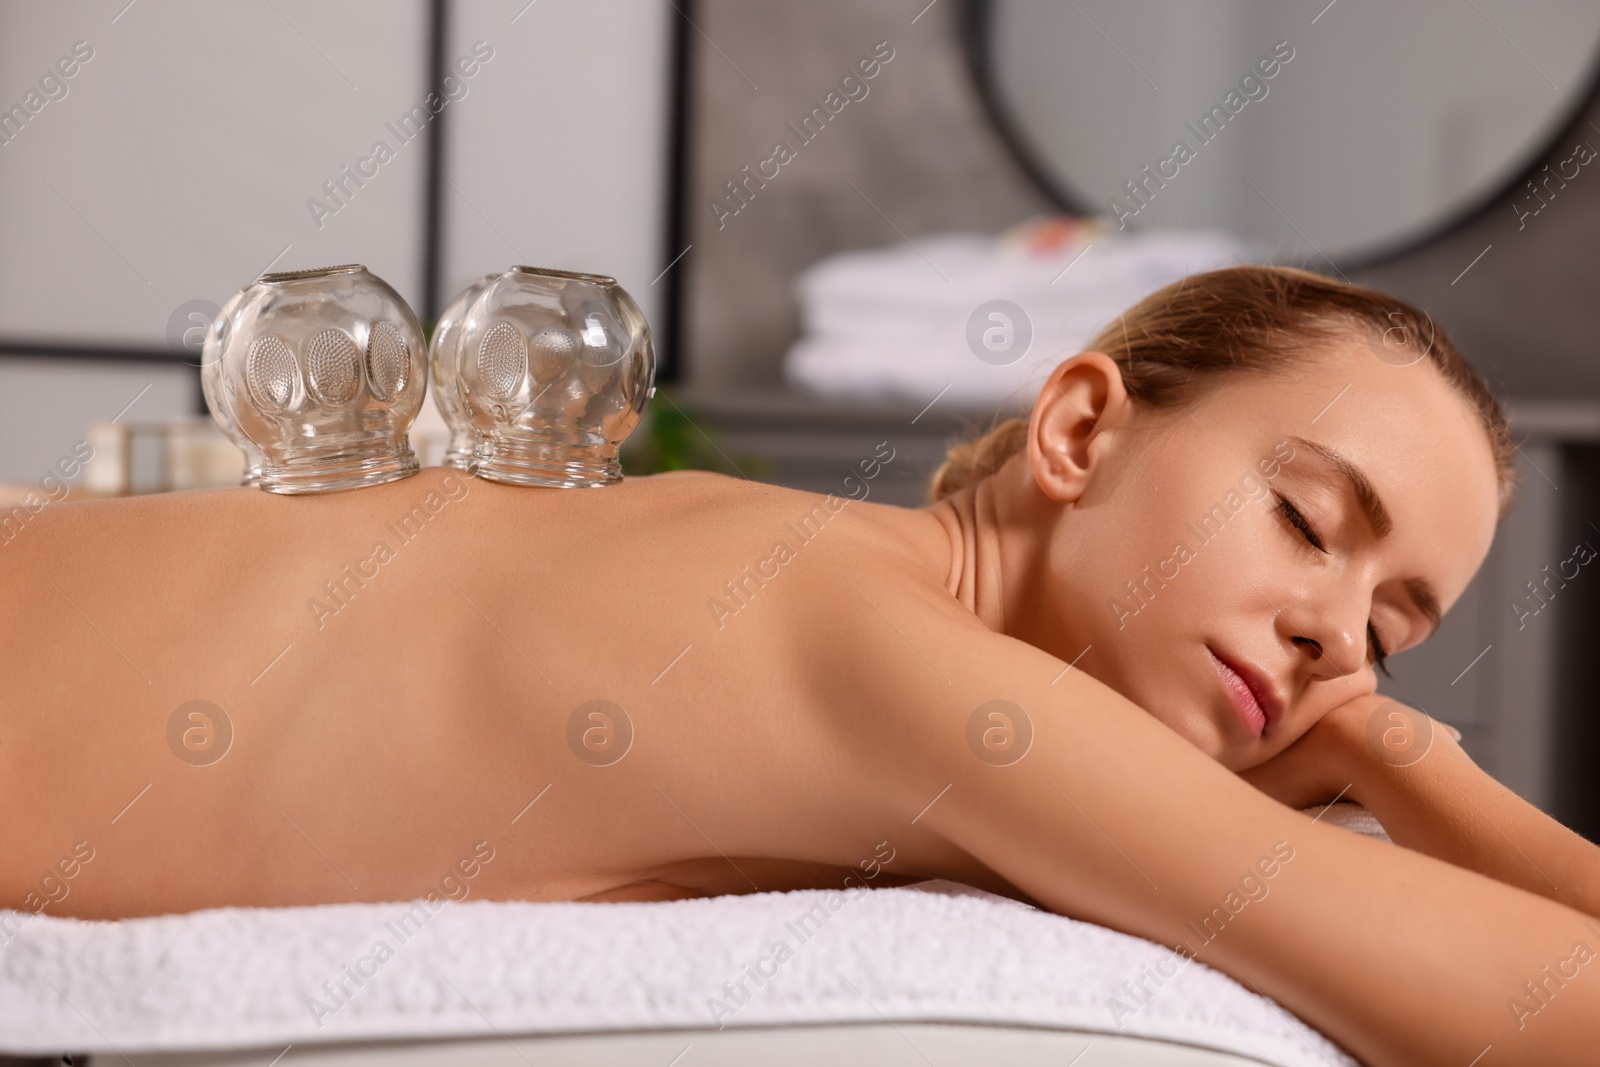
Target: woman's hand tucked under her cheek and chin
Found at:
x=1332, y=759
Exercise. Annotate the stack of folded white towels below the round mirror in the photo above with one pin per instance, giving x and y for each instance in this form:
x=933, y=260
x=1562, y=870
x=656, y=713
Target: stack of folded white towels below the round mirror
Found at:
x=894, y=322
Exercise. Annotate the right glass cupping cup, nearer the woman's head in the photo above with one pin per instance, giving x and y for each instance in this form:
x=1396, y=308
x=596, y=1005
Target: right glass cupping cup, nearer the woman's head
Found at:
x=542, y=377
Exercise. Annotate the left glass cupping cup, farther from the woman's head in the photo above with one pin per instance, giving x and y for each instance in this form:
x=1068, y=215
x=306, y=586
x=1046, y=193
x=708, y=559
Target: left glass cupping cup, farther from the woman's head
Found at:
x=318, y=375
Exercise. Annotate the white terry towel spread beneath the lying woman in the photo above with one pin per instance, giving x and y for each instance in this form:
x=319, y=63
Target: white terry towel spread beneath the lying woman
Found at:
x=252, y=978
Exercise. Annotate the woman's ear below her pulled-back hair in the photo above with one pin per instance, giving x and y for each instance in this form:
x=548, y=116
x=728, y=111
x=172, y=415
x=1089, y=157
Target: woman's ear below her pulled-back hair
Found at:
x=1079, y=409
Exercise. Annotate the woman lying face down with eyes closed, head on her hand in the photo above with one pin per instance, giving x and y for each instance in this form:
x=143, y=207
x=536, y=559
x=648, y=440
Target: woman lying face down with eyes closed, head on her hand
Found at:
x=1087, y=677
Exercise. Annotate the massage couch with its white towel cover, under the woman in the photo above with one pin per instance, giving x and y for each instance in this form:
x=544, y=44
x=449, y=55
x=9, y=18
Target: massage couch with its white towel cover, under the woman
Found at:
x=926, y=975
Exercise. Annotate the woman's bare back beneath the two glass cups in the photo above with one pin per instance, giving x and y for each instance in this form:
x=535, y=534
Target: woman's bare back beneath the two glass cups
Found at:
x=610, y=692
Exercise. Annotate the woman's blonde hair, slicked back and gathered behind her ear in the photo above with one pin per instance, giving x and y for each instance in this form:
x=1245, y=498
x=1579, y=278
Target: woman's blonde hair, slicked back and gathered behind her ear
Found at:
x=1183, y=340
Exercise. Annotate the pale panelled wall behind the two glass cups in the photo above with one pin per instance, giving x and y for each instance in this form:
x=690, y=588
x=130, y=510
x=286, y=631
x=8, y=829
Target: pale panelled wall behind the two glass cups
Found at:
x=182, y=159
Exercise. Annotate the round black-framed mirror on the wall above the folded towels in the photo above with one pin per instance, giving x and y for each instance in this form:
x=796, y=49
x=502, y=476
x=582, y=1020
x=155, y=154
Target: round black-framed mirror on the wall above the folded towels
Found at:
x=1374, y=132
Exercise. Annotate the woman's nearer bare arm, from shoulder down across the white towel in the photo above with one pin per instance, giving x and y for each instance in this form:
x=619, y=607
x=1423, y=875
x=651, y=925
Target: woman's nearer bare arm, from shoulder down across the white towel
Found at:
x=1113, y=818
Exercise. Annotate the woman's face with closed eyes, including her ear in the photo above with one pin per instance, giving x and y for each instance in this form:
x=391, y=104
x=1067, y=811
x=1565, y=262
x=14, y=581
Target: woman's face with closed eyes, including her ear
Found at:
x=1260, y=537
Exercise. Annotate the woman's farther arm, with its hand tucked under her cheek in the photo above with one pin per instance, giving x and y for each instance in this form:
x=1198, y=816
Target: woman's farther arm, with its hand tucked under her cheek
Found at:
x=1431, y=797
